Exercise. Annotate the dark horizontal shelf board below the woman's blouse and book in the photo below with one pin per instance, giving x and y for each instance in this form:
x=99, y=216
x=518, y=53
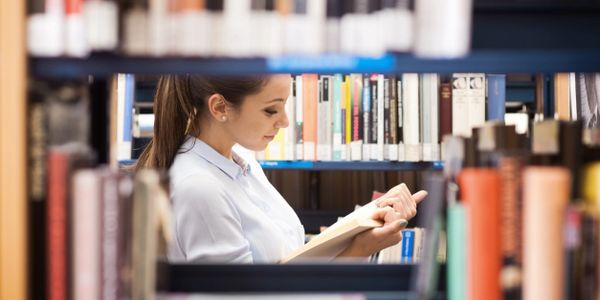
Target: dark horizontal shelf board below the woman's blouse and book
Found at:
x=289, y=278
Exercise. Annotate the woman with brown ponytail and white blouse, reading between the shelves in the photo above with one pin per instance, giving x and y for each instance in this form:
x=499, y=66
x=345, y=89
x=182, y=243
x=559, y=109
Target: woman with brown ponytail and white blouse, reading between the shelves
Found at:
x=224, y=207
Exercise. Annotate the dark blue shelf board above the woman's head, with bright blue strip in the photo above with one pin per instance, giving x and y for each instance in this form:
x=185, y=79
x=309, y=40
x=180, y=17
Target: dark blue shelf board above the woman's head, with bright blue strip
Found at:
x=485, y=61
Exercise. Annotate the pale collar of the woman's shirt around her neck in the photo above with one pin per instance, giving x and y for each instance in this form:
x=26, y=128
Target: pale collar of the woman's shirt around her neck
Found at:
x=233, y=169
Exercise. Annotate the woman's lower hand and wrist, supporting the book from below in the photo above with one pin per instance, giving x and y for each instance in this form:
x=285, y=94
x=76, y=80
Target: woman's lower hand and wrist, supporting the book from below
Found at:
x=376, y=239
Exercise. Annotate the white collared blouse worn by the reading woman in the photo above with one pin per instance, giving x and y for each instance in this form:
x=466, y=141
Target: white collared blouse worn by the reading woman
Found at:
x=227, y=211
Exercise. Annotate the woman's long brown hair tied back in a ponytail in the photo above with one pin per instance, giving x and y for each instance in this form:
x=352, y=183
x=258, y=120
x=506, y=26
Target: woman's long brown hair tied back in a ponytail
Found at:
x=180, y=103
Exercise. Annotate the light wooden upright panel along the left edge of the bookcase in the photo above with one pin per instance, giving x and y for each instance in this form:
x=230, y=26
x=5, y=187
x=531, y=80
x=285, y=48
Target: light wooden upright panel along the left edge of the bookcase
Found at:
x=13, y=152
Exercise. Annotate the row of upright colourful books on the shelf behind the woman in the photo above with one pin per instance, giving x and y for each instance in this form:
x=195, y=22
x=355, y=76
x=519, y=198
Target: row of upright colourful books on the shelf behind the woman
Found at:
x=361, y=117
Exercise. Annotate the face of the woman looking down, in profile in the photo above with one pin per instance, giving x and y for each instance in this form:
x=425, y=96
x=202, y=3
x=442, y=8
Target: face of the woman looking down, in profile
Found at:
x=256, y=122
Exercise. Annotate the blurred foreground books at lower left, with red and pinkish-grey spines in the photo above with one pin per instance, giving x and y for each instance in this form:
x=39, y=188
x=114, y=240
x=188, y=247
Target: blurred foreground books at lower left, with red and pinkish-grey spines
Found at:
x=103, y=230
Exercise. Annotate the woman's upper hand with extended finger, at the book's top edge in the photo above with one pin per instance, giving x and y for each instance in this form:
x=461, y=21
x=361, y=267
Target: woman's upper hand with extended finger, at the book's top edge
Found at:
x=401, y=199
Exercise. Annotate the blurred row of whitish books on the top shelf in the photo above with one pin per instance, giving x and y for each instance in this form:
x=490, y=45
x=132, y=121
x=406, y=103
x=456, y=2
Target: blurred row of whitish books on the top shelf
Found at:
x=243, y=28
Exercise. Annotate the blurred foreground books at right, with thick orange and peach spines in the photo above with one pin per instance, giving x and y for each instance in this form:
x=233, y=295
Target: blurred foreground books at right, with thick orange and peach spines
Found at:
x=522, y=222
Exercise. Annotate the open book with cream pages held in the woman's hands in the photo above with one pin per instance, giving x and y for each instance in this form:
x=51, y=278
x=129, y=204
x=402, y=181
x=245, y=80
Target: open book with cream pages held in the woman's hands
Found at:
x=335, y=239
